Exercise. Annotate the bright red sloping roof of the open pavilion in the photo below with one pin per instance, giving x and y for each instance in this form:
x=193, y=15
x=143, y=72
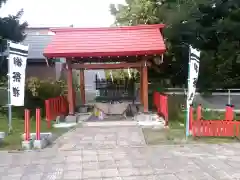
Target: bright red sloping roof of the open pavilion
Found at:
x=112, y=41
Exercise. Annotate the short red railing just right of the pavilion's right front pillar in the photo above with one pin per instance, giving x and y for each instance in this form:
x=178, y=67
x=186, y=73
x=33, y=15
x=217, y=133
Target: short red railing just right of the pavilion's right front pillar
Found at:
x=161, y=103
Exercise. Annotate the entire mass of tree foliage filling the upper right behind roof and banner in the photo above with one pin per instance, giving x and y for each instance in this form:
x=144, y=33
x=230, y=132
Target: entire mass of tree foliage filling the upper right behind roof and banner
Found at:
x=209, y=25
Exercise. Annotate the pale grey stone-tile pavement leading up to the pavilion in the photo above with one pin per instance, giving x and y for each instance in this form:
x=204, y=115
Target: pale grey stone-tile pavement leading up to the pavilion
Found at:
x=120, y=153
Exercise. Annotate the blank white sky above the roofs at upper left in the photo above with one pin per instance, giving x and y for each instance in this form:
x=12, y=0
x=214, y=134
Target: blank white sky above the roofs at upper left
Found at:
x=59, y=13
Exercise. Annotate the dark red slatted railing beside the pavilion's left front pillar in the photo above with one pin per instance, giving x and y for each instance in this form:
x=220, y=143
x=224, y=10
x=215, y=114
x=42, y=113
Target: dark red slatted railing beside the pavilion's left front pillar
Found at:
x=55, y=107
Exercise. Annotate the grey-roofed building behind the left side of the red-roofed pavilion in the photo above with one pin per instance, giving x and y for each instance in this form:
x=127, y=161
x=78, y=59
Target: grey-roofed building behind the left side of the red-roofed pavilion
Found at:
x=37, y=65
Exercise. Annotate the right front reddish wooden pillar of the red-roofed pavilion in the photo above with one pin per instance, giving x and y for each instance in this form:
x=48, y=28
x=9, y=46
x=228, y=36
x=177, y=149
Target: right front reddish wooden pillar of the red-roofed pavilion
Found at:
x=145, y=86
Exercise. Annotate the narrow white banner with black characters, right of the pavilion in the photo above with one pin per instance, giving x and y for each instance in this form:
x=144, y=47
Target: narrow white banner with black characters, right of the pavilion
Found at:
x=193, y=74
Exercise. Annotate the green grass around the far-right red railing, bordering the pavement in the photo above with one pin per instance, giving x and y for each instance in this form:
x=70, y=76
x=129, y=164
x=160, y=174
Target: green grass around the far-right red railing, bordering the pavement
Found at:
x=176, y=132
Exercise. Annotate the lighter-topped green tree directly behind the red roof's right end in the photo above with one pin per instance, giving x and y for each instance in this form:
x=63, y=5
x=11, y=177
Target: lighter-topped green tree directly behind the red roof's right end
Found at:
x=171, y=13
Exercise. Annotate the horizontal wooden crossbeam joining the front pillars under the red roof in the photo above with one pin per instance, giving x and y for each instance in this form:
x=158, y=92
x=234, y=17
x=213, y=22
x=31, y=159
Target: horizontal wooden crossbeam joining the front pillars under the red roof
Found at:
x=108, y=66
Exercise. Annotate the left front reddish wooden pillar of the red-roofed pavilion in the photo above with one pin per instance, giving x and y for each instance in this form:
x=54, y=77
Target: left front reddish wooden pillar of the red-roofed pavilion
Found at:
x=70, y=88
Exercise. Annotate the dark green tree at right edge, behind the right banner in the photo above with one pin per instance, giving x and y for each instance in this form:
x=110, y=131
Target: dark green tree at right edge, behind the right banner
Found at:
x=216, y=25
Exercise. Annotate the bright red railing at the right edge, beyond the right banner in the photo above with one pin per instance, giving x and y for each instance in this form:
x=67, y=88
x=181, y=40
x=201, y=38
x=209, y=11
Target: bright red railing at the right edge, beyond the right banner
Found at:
x=215, y=128
